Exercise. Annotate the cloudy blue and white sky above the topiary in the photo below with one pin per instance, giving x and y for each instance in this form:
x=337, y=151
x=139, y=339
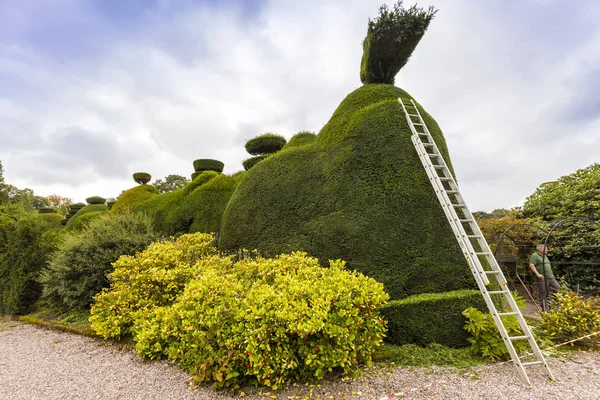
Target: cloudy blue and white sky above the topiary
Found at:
x=92, y=91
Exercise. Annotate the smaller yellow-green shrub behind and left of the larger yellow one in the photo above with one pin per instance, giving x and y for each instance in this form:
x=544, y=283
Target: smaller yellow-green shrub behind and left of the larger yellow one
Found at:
x=152, y=278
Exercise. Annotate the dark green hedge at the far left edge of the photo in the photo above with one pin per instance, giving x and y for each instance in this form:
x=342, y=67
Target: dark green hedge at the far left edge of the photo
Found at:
x=26, y=241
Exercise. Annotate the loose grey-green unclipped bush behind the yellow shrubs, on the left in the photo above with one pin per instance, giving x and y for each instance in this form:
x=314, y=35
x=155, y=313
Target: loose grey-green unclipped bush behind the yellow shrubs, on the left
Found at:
x=78, y=269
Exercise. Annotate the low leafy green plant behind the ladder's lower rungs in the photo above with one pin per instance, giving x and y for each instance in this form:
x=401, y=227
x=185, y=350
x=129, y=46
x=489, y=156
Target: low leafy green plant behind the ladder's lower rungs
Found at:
x=485, y=338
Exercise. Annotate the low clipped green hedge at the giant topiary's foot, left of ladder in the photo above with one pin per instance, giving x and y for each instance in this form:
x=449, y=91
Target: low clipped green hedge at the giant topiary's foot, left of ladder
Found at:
x=431, y=318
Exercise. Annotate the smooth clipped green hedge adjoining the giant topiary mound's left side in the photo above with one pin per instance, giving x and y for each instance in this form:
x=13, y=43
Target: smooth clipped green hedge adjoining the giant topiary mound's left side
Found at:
x=198, y=207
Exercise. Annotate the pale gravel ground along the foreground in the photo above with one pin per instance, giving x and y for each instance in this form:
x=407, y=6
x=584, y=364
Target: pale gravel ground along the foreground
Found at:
x=36, y=363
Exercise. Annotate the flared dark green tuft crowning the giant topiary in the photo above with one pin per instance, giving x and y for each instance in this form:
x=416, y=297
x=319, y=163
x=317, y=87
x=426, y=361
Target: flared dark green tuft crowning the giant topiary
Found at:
x=391, y=39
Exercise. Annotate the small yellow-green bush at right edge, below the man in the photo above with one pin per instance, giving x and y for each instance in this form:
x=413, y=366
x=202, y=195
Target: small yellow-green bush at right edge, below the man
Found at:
x=570, y=317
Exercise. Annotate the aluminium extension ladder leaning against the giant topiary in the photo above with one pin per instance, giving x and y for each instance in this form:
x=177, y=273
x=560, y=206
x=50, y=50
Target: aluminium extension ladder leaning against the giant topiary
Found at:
x=470, y=239
